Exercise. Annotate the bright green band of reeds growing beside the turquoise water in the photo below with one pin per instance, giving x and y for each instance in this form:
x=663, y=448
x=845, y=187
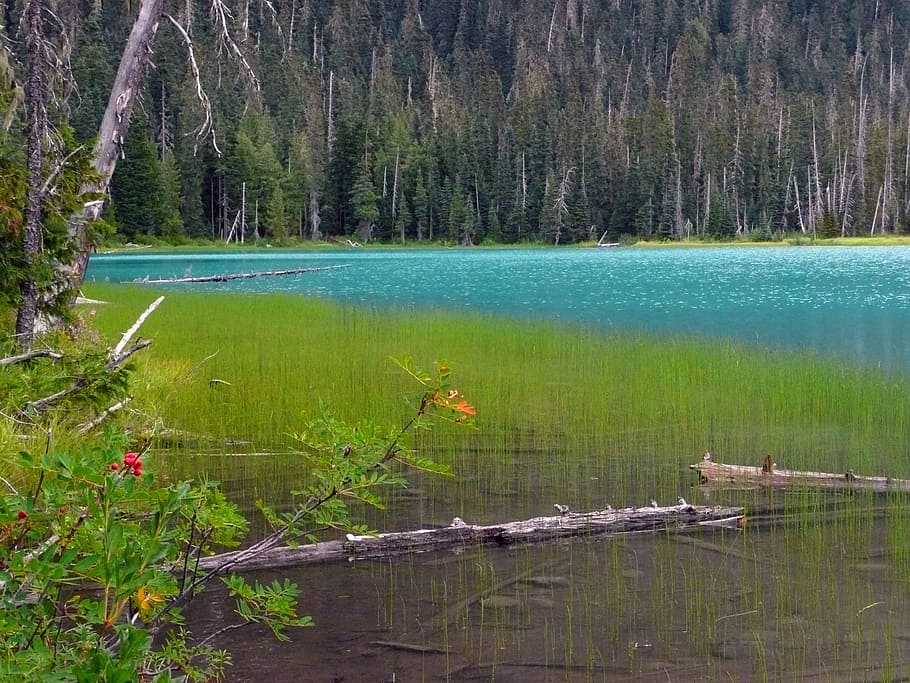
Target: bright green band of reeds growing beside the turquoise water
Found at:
x=579, y=407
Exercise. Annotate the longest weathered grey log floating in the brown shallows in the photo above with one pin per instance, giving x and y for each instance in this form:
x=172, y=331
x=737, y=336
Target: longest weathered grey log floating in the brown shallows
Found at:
x=460, y=534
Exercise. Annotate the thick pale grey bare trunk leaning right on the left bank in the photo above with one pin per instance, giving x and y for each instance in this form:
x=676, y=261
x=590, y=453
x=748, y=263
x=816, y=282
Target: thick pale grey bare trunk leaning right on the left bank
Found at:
x=111, y=134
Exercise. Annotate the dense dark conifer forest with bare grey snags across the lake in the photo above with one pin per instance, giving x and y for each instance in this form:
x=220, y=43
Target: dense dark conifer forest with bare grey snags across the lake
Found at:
x=471, y=121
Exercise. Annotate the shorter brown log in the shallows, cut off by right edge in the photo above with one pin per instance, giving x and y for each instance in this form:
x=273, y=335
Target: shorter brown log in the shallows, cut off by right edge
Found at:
x=768, y=475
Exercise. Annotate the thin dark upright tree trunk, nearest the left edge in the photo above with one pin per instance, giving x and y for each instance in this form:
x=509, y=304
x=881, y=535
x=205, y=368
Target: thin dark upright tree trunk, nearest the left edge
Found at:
x=36, y=129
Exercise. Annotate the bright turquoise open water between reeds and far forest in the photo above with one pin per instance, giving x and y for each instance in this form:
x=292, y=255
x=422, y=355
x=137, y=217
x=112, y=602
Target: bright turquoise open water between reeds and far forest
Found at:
x=853, y=303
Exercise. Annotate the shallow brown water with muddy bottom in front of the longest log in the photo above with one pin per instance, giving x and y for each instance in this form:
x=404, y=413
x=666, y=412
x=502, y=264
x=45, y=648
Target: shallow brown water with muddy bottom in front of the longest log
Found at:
x=822, y=599
